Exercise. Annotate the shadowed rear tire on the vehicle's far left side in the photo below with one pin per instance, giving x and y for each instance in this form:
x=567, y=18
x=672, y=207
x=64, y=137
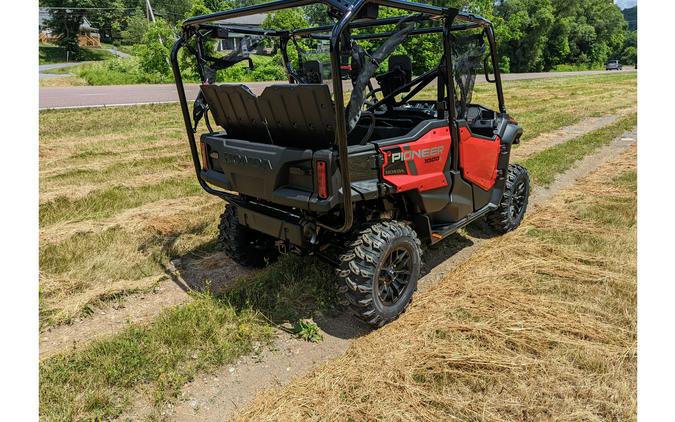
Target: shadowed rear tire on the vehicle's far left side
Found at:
x=245, y=246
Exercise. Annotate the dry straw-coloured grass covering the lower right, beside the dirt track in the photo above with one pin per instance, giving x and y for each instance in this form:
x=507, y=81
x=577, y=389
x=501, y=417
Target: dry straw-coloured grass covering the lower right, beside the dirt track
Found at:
x=538, y=325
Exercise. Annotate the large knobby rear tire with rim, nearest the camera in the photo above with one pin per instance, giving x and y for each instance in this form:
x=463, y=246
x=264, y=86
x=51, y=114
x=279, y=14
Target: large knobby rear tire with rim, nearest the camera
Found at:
x=379, y=271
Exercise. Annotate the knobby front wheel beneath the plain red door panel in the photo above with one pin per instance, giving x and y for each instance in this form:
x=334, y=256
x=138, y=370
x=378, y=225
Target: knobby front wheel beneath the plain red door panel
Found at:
x=512, y=207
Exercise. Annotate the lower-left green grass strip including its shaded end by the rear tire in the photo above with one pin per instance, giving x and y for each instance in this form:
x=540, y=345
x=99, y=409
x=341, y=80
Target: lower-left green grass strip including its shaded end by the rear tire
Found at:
x=156, y=360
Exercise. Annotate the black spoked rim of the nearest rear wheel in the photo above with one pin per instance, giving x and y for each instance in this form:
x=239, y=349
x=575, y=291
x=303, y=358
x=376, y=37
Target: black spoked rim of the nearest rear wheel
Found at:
x=394, y=275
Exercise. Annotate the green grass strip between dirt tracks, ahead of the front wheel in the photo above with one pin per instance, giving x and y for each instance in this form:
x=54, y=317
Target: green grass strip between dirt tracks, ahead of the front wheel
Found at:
x=544, y=166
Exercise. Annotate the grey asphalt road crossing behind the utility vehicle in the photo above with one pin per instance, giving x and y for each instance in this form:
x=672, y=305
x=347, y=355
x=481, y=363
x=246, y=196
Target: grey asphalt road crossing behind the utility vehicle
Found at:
x=116, y=95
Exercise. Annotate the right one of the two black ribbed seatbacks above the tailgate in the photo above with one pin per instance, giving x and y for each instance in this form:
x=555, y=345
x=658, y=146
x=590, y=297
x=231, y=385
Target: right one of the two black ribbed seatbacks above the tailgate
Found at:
x=299, y=115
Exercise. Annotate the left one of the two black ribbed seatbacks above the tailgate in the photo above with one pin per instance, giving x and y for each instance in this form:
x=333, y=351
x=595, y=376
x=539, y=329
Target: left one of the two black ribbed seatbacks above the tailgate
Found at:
x=235, y=108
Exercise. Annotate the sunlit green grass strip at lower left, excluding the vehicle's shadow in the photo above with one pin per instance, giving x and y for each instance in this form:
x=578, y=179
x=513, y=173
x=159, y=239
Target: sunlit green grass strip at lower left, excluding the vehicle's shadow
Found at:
x=101, y=381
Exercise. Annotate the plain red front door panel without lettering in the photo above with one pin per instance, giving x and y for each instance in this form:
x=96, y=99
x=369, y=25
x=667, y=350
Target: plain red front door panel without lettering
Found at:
x=478, y=158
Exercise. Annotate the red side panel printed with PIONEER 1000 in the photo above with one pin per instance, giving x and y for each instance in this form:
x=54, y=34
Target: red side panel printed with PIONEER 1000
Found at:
x=418, y=164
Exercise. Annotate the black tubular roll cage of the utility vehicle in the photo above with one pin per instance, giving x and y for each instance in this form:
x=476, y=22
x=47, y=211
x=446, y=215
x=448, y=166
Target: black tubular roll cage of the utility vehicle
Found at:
x=349, y=15
